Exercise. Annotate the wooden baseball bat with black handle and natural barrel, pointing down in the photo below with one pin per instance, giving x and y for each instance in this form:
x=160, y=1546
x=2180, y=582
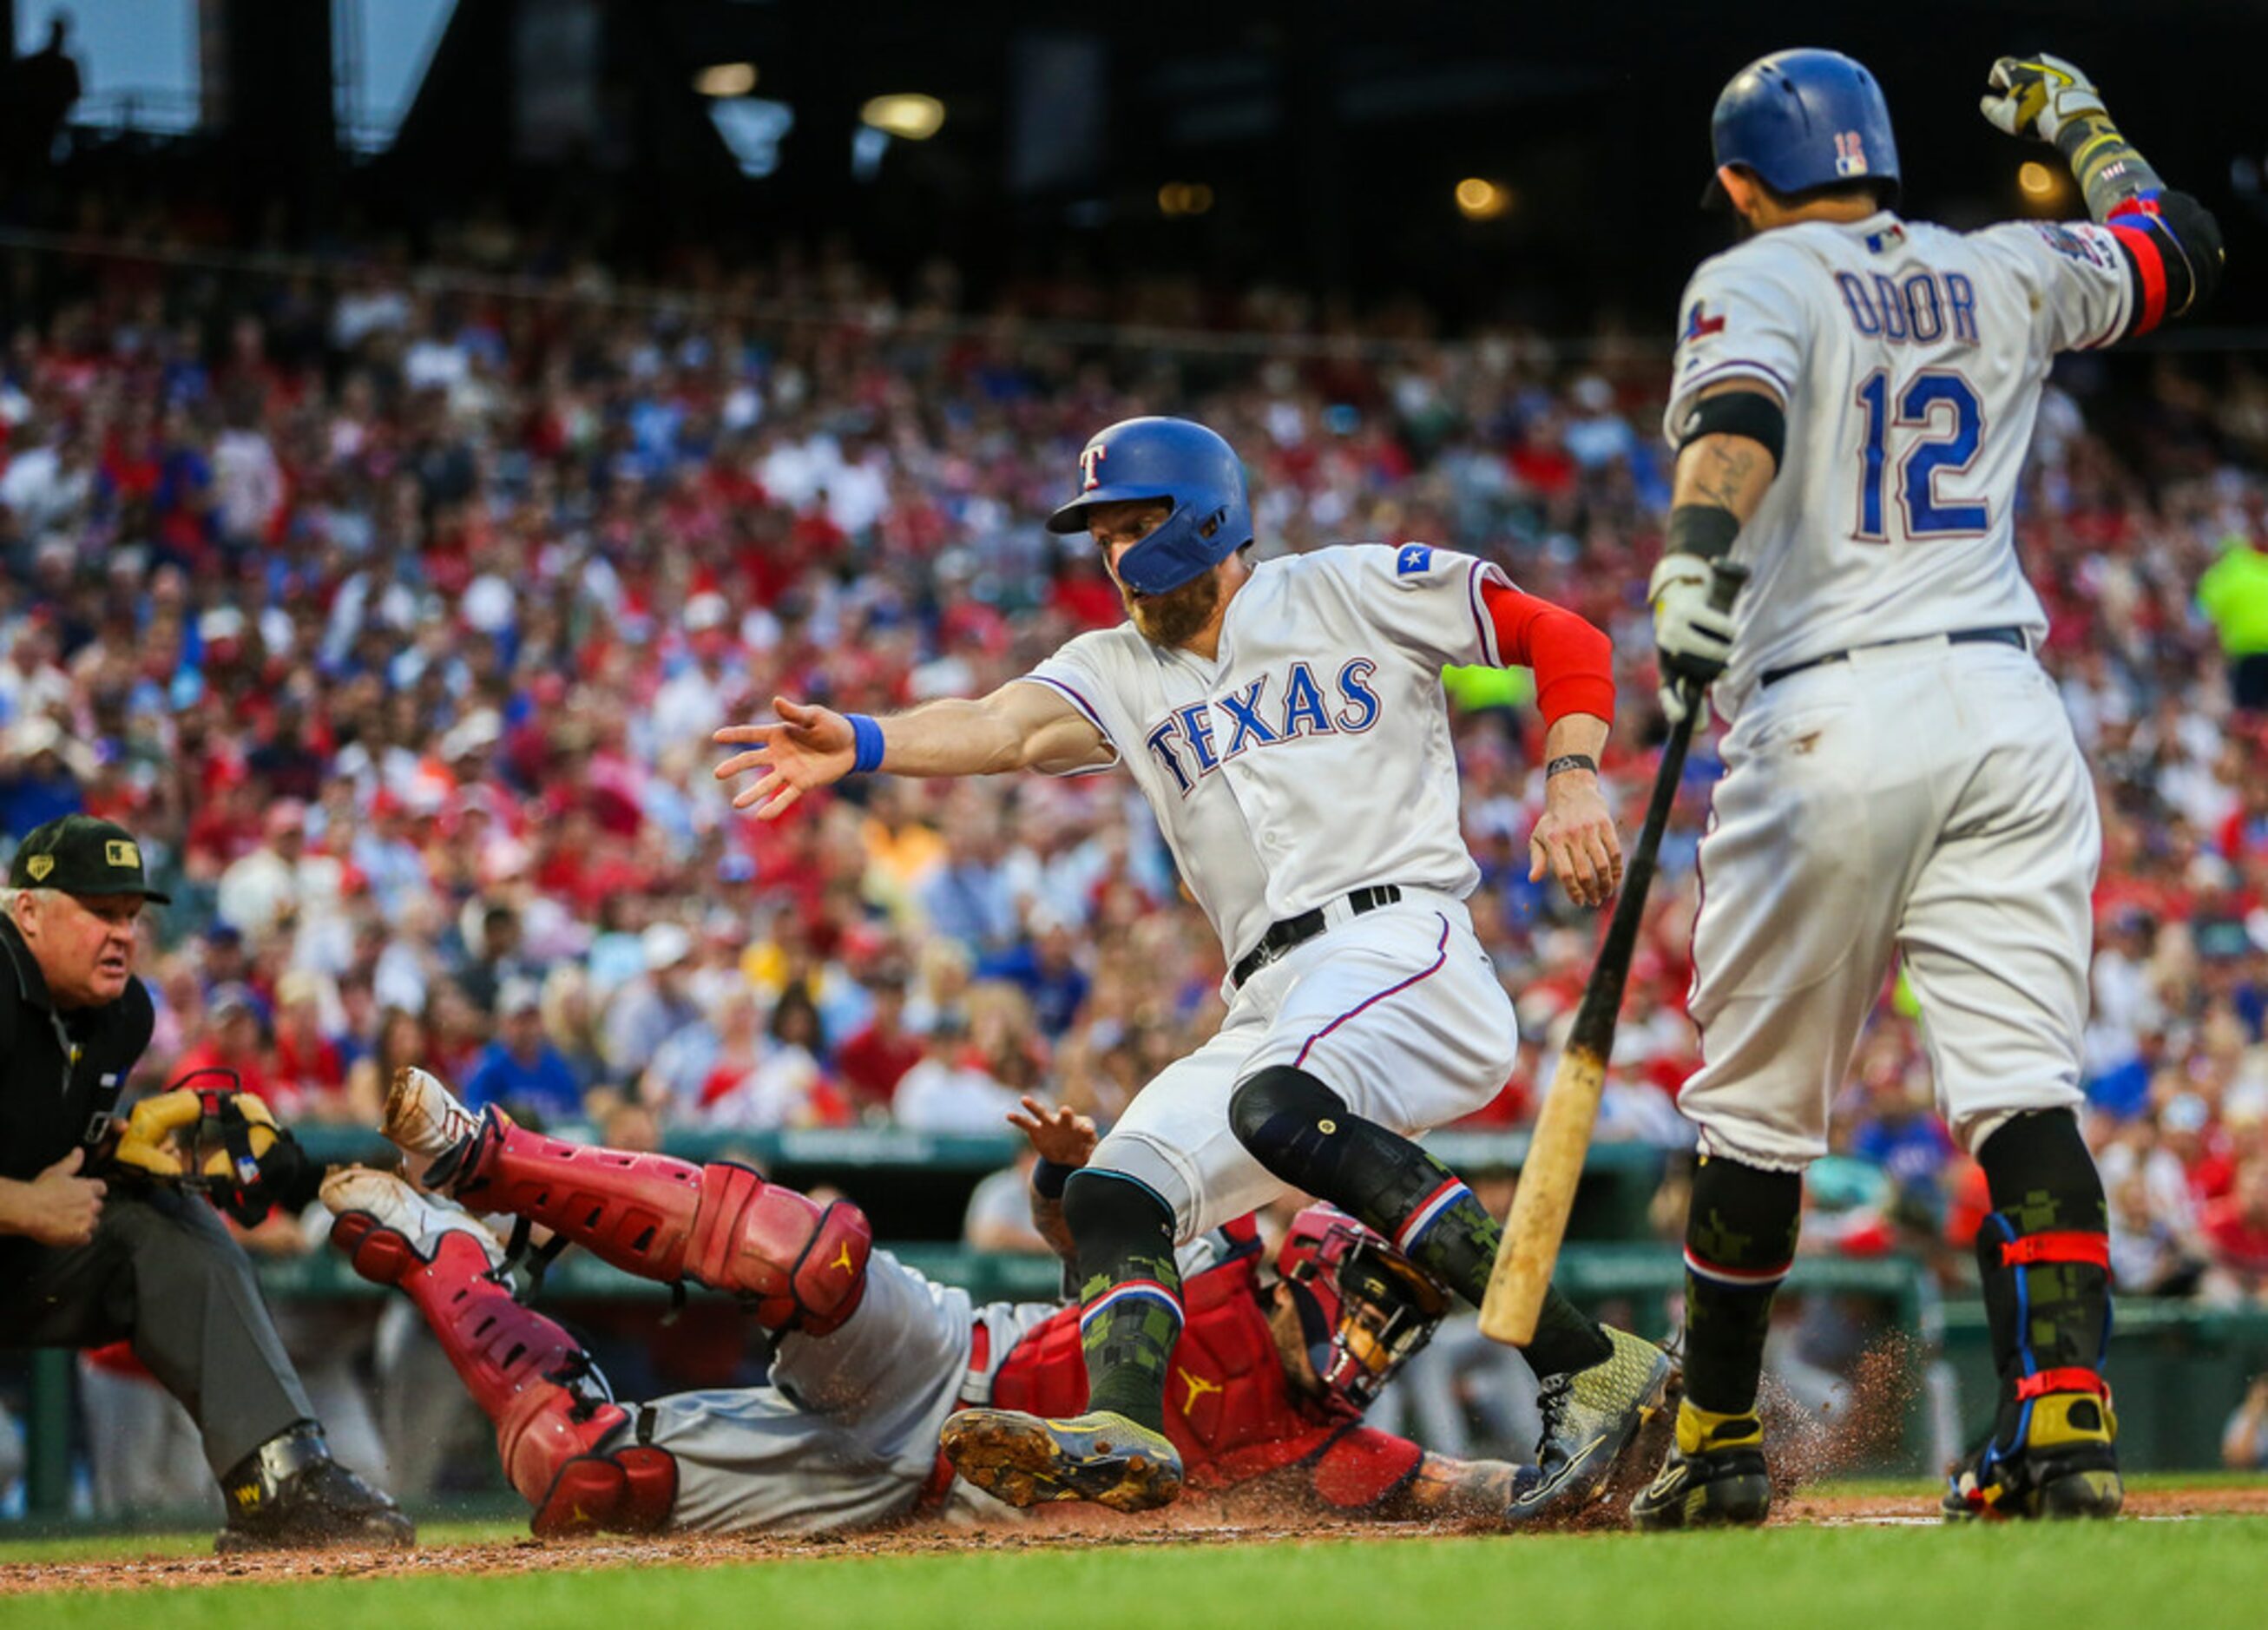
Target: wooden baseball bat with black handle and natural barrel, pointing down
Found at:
x=1555, y=1166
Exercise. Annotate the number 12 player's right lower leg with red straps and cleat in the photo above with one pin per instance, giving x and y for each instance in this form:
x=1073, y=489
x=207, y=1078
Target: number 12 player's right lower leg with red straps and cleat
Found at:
x=2045, y=1262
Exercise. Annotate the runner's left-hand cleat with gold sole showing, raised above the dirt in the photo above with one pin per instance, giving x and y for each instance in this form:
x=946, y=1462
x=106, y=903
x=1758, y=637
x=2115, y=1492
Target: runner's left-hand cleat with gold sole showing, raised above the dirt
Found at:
x=1031, y=1461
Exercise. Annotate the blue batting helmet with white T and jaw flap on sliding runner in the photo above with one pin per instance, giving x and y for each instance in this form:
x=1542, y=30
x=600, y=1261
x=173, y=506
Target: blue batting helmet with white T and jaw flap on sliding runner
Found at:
x=1165, y=459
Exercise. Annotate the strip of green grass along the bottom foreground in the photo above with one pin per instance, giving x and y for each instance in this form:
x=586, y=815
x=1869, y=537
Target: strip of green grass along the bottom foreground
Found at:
x=2194, y=1574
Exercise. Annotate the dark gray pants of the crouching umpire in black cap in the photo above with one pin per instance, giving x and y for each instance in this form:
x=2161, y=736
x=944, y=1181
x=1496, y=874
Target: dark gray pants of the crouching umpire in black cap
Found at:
x=164, y=1275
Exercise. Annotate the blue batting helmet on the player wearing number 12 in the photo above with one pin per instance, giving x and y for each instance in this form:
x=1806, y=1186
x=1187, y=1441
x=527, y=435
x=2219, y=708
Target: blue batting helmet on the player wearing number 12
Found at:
x=1804, y=119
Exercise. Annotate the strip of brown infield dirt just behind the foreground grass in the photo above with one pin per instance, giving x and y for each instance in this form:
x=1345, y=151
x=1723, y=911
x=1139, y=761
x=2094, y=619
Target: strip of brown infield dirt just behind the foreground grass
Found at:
x=1067, y=1531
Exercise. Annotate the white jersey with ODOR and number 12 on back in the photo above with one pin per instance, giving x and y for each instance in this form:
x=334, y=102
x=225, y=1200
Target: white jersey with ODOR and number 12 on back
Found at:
x=1911, y=362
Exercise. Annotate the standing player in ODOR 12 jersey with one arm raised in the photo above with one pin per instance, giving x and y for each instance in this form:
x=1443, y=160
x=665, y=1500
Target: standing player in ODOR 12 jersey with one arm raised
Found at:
x=1852, y=407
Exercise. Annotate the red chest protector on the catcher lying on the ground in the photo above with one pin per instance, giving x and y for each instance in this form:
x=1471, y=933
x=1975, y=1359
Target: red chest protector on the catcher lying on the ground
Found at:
x=1228, y=1404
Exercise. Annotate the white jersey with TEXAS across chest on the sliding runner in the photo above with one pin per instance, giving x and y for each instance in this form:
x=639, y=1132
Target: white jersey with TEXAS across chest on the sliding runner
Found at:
x=1312, y=756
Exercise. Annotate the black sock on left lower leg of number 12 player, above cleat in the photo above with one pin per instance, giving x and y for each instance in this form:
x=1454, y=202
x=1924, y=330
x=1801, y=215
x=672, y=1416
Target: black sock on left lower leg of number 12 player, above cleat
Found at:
x=1741, y=1241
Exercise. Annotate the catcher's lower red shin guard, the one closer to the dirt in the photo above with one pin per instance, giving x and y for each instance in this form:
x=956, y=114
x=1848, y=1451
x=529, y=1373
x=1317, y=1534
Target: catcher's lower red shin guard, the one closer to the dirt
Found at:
x=530, y=1379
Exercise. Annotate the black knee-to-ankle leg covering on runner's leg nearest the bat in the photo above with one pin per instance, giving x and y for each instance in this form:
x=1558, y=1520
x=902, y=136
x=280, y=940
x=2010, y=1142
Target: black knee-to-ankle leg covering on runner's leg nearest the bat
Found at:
x=1303, y=1132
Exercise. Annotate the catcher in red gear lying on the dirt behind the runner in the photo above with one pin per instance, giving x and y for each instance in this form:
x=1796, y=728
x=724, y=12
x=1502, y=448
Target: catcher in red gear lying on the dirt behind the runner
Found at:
x=1269, y=1382
